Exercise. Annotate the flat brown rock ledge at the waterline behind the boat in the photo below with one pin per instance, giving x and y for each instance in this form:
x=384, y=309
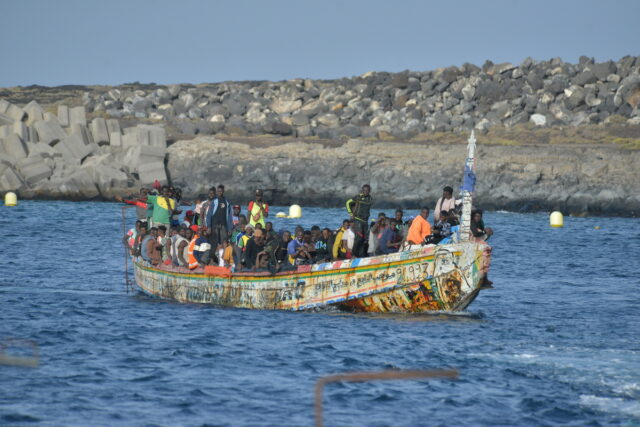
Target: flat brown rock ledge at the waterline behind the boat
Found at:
x=573, y=178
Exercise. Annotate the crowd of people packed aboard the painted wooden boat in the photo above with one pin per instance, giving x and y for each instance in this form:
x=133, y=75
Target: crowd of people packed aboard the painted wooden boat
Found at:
x=218, y=233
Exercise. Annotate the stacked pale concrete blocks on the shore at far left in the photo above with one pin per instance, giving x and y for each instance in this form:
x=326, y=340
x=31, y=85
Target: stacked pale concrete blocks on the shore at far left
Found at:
x=61, y=155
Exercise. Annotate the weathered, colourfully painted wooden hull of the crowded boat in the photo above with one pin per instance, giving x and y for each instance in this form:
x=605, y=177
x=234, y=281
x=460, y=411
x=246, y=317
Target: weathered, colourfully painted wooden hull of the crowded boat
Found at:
x=429, y=278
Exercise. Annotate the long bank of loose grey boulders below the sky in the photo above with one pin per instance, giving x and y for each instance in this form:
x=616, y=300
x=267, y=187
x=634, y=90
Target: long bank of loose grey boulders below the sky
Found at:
x=398, y=105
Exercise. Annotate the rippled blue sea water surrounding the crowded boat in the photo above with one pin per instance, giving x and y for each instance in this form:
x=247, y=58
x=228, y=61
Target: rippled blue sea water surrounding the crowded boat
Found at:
x=556, y=342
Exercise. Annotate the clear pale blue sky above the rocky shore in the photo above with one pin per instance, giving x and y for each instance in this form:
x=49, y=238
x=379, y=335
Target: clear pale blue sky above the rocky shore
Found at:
x=111, y=42
